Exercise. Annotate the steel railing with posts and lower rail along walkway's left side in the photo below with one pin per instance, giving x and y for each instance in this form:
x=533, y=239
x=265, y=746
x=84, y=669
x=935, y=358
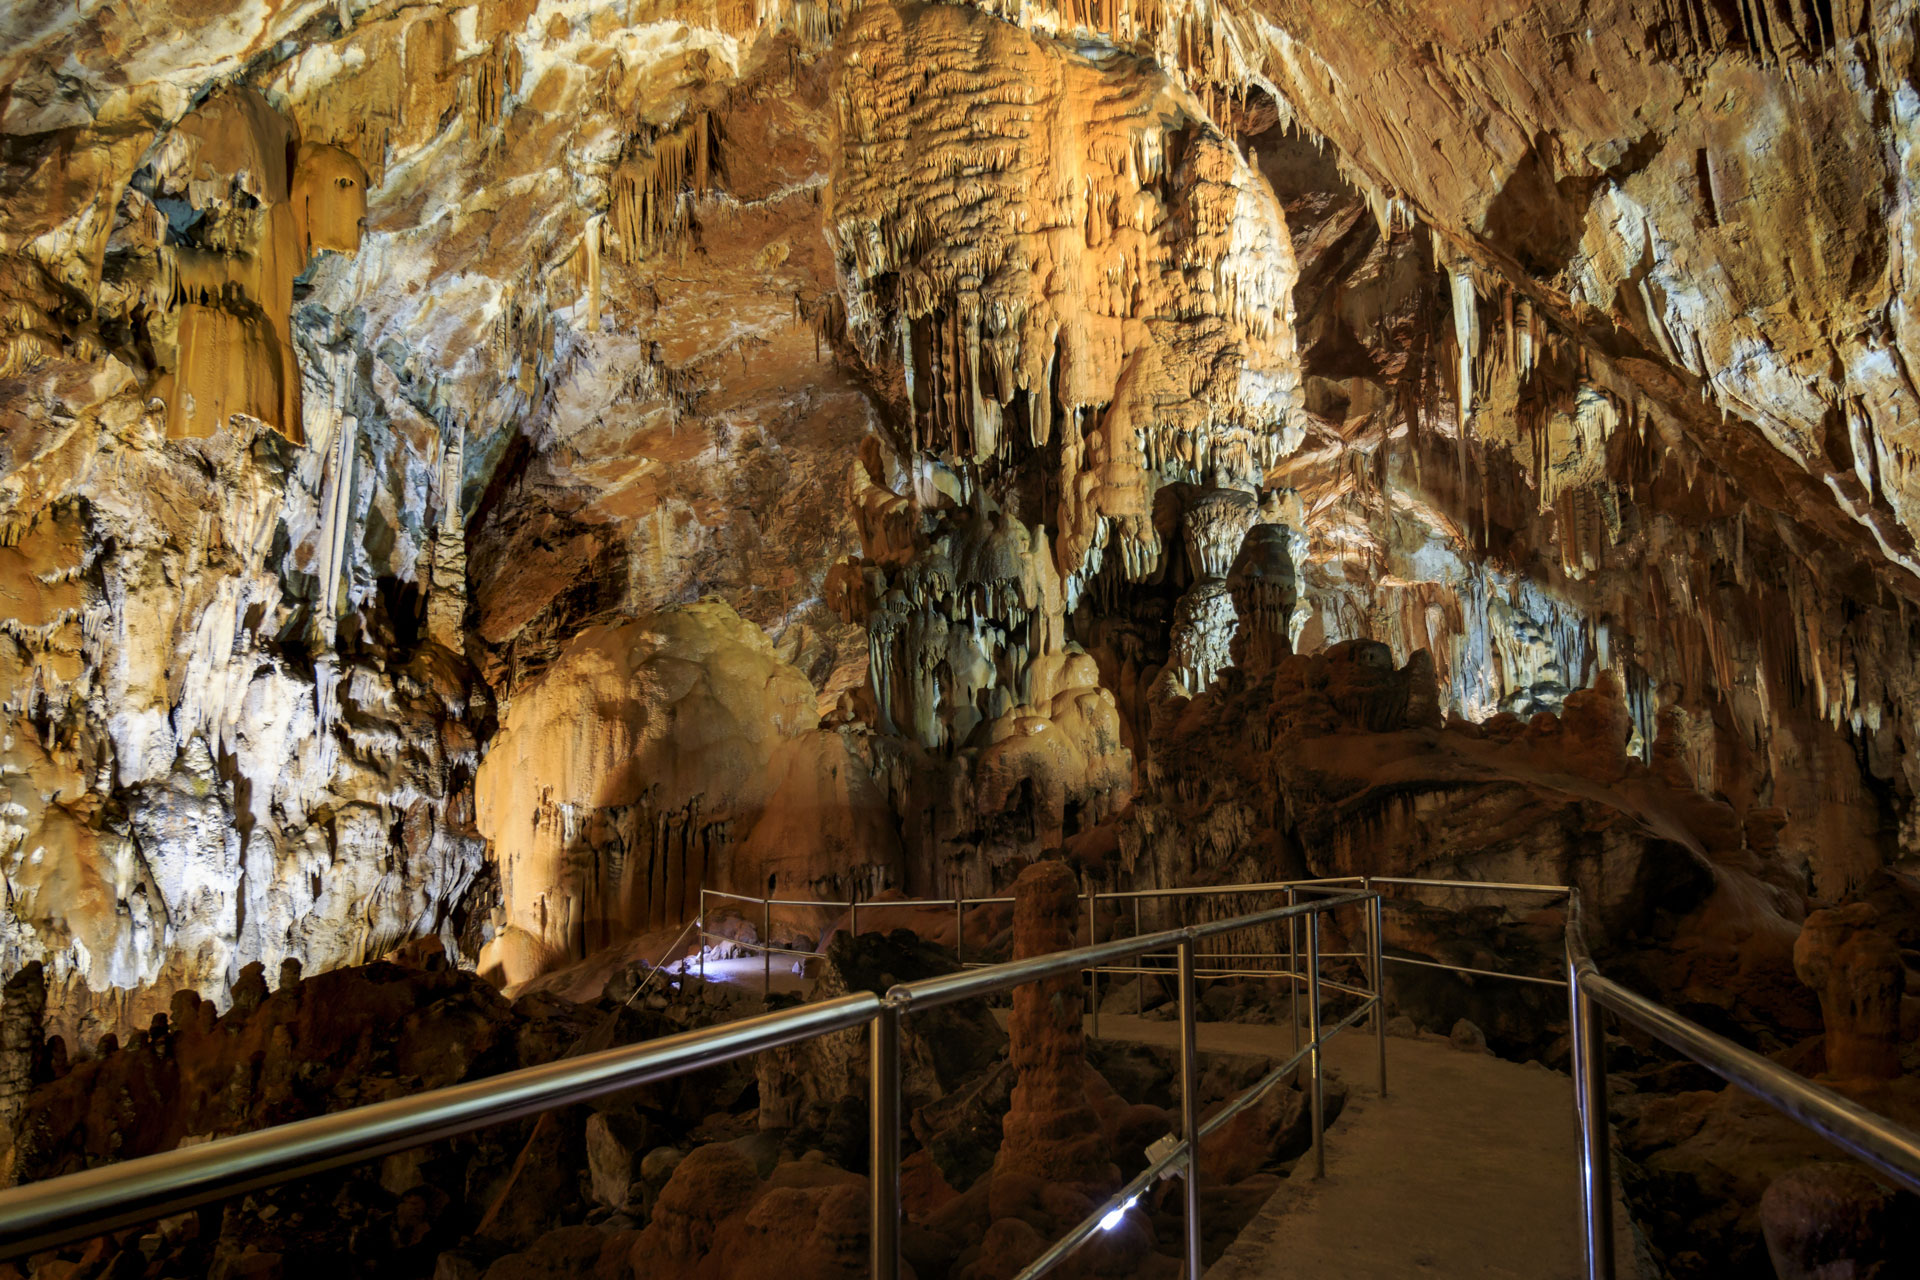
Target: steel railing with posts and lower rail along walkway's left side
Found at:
x=99, y=1200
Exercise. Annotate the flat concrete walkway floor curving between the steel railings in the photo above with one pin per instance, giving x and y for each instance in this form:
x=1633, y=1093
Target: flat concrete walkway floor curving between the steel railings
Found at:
x=1466, y=1170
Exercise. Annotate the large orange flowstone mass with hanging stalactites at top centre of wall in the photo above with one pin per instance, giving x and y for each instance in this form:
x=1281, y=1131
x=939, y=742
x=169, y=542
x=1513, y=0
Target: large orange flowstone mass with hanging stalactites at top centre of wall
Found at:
x=1118, y=298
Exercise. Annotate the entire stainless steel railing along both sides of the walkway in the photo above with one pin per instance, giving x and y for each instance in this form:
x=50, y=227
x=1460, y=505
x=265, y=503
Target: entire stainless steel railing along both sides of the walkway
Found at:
x=87, y=1204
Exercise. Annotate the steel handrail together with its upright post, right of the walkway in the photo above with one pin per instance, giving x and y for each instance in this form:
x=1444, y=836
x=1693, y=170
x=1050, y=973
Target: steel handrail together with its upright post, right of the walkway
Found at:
x=1888, y=1147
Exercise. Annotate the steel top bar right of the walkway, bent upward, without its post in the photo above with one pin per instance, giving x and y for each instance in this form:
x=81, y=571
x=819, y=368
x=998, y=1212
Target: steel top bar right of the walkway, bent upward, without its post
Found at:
x=1888, y=1147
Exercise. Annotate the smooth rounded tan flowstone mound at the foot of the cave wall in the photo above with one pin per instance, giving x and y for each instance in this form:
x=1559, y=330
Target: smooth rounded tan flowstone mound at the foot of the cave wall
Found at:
x=642, y=765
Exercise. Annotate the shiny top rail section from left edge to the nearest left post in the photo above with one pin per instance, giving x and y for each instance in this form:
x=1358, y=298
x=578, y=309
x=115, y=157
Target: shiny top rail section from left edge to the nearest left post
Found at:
x=99, y=1200
